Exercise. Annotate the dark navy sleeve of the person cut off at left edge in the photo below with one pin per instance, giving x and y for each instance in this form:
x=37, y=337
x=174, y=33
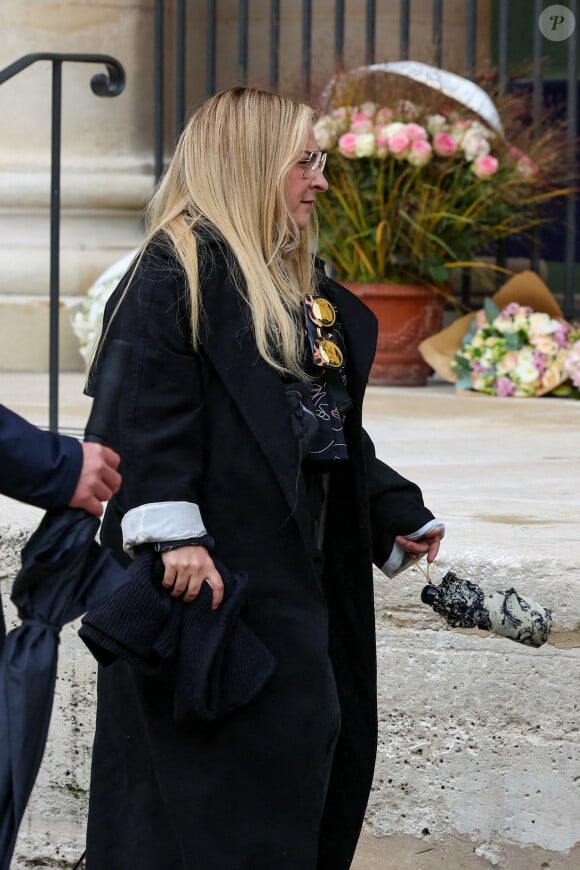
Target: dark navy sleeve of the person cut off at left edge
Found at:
x=37, y=467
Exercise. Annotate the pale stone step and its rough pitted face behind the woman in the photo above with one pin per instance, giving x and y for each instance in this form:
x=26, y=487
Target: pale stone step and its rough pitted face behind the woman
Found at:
x=504, y=476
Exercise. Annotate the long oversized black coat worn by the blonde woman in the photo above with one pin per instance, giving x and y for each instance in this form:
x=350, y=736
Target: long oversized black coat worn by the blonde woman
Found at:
x=283, y=783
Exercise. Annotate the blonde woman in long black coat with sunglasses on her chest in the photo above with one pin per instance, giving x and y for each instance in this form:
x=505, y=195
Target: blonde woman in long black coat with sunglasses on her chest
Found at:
x=243, y=451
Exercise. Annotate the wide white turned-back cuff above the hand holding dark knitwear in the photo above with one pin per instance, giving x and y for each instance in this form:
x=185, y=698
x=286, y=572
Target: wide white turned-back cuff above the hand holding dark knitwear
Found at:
x=161, y=521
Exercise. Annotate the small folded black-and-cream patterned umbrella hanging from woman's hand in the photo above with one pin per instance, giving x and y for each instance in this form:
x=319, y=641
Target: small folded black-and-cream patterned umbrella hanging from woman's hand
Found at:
x=503, y=612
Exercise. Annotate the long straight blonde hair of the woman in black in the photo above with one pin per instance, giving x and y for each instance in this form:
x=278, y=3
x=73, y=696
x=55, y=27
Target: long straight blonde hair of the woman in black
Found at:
x=230, y=169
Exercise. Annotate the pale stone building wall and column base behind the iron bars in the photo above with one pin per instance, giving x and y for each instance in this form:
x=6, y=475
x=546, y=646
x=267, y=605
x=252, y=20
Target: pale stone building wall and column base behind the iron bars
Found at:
x=107, y=144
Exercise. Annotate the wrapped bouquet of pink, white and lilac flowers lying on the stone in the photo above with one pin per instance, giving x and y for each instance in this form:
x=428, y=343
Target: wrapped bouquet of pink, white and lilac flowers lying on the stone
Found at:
x=517, y=352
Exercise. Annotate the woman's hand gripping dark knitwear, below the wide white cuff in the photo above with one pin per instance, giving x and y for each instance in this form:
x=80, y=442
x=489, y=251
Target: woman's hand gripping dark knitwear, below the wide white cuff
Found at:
x=186, y=568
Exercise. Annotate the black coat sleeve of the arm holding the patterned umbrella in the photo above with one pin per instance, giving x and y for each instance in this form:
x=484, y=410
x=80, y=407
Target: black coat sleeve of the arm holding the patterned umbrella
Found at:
x=396, y=504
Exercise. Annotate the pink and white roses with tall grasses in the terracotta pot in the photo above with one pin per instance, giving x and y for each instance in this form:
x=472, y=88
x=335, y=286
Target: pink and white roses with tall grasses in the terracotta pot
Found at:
x=418, y=187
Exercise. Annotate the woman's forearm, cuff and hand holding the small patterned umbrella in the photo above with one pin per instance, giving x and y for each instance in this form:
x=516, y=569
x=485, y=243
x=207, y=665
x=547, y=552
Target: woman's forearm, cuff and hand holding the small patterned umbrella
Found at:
x=402, y=528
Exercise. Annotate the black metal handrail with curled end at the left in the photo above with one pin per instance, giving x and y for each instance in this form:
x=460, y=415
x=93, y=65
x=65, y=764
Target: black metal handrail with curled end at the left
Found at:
x=110, y=84
